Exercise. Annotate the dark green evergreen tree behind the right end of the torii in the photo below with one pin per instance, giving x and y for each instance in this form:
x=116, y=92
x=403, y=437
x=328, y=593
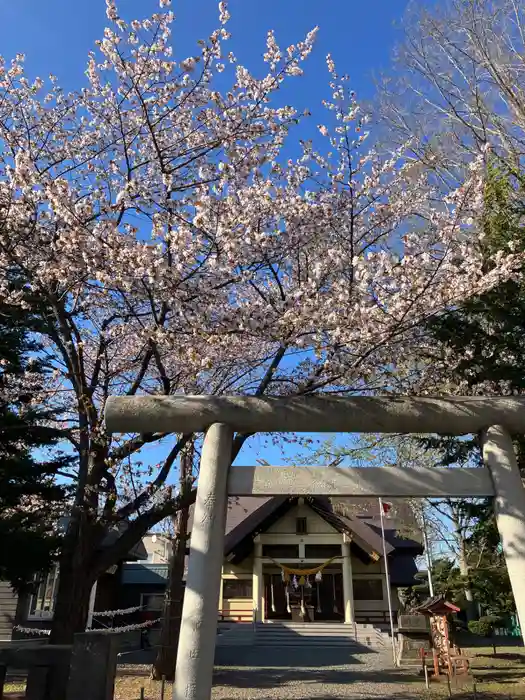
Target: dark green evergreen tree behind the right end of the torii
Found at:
x=481, y=345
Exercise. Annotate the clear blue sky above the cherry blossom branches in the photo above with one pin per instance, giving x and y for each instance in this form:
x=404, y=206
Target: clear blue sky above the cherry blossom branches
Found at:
x=56, y=36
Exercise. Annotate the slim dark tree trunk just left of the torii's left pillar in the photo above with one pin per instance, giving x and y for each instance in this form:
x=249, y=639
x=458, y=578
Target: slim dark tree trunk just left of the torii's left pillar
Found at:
x=164, y=664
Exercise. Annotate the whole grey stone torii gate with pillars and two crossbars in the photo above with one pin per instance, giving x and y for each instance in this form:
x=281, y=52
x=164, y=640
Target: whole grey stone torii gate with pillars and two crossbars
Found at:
x=495, y=418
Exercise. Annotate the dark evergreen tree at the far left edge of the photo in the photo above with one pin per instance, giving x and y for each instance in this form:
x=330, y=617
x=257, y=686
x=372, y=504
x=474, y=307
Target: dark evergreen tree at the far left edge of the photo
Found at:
x=30, y=499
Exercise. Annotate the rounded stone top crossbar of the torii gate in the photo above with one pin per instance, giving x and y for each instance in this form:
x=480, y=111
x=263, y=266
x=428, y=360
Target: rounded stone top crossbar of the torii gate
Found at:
x=400, y=414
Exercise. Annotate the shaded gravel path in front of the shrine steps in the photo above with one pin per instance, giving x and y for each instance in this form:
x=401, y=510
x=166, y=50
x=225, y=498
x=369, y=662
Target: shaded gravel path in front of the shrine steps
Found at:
x=282, y=674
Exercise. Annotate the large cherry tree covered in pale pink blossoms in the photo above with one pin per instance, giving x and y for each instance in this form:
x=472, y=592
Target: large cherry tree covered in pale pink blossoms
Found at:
x=171, y=247
